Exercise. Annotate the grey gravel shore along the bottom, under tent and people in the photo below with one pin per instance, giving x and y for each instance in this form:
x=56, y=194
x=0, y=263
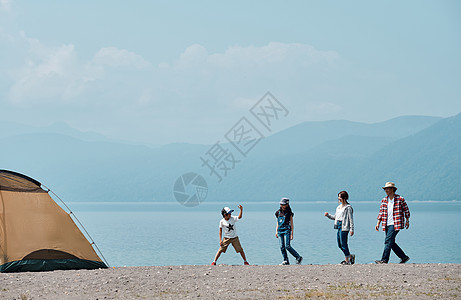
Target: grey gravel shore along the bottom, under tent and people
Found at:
x=392, y=281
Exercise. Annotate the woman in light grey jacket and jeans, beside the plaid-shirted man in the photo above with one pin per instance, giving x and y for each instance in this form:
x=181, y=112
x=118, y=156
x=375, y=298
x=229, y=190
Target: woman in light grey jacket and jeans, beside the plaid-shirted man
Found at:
x=344, y=223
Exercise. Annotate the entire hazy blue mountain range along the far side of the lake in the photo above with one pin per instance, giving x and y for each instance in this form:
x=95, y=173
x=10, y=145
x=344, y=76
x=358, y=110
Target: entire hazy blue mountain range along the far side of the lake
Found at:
x=311, y=161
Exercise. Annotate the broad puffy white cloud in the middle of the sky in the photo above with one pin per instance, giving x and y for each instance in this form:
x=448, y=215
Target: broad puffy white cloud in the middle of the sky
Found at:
x=225, y=79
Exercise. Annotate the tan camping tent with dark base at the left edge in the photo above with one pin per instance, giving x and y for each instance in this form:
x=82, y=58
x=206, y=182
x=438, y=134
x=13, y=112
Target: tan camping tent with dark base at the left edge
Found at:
x=35, y=231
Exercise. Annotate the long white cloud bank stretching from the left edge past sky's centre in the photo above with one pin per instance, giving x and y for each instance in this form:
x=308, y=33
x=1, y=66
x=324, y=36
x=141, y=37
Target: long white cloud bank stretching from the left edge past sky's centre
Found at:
x=195, y=79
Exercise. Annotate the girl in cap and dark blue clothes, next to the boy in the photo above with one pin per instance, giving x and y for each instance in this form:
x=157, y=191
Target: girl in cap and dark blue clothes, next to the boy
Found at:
x=284, y=231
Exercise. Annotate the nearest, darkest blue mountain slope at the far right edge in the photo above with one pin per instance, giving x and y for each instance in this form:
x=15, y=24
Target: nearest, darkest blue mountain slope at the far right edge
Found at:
x=427, y=164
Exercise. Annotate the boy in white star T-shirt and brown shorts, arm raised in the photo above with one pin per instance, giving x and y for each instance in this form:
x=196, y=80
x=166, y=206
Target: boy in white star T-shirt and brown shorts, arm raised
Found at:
x=230, y=235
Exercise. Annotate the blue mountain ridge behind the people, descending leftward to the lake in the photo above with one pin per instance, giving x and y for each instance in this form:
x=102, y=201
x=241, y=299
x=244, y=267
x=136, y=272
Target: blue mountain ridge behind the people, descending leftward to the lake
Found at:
x=426, y=166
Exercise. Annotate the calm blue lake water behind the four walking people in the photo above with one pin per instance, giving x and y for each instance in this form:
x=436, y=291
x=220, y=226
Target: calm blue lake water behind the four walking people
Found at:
x=148, y=234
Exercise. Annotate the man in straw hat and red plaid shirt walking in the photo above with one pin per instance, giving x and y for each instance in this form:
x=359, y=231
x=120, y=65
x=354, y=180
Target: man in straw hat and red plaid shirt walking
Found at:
x=394, y=215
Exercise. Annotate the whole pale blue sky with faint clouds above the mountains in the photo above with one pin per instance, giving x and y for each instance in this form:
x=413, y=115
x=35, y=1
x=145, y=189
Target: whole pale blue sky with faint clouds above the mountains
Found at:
x=161, y=72
